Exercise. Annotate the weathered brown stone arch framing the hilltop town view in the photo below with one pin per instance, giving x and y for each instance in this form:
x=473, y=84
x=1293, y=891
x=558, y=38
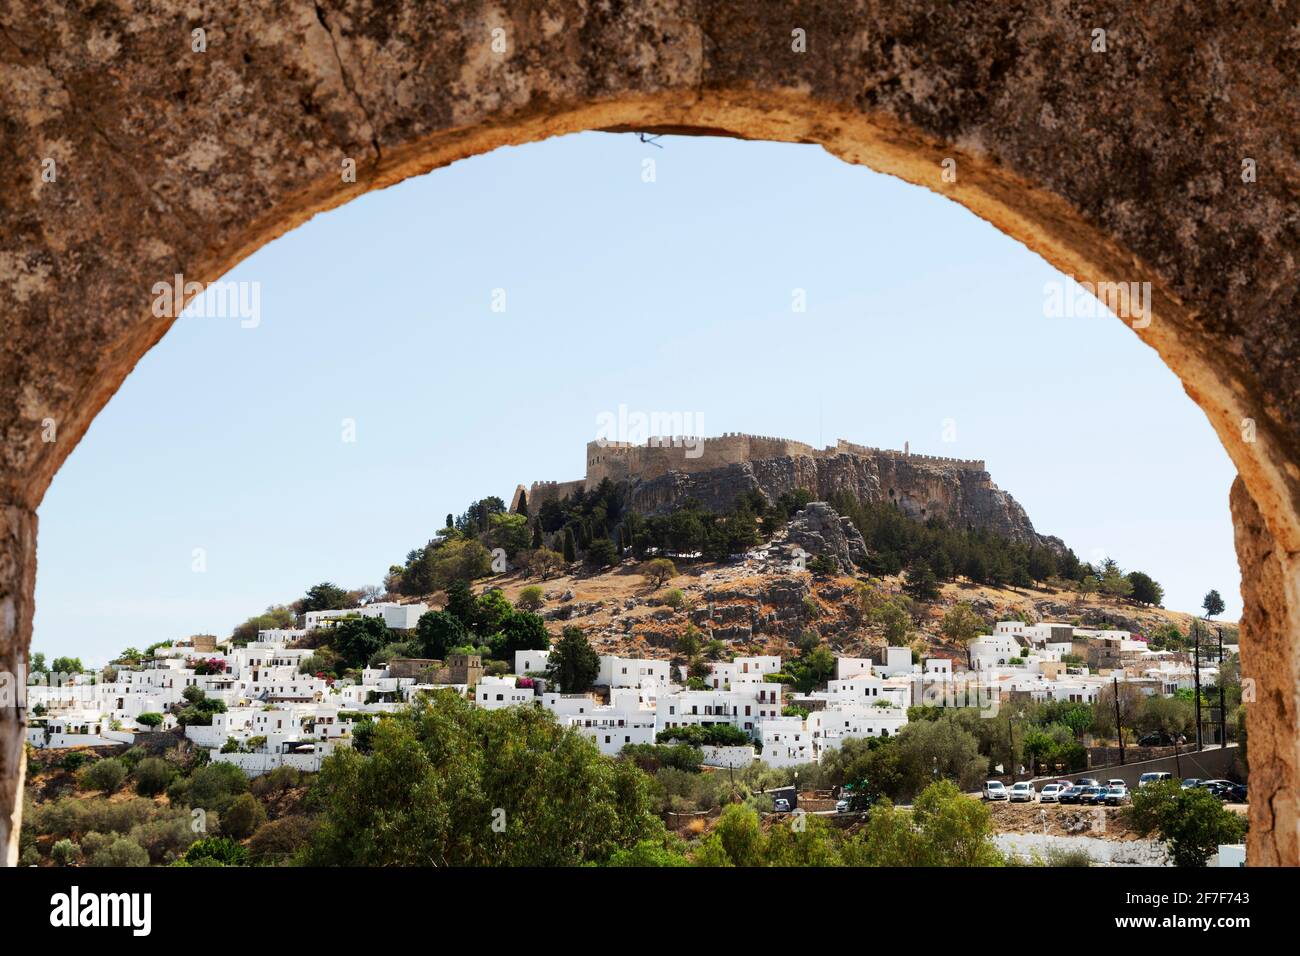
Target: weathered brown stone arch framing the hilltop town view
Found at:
x=1169, y=158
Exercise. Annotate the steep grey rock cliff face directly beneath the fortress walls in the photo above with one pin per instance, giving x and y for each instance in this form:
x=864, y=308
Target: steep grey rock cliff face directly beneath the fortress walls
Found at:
x=921, y=490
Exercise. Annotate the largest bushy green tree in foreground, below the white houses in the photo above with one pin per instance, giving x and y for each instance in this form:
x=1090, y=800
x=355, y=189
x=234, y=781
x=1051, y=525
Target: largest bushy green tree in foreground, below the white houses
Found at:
x=452, y=785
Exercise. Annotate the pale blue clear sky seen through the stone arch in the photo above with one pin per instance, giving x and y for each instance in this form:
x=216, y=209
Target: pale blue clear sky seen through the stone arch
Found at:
x=666, y=296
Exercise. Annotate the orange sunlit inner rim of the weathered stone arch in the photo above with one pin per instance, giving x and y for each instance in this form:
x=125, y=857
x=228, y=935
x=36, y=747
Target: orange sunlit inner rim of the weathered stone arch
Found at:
x=1266, y=501
